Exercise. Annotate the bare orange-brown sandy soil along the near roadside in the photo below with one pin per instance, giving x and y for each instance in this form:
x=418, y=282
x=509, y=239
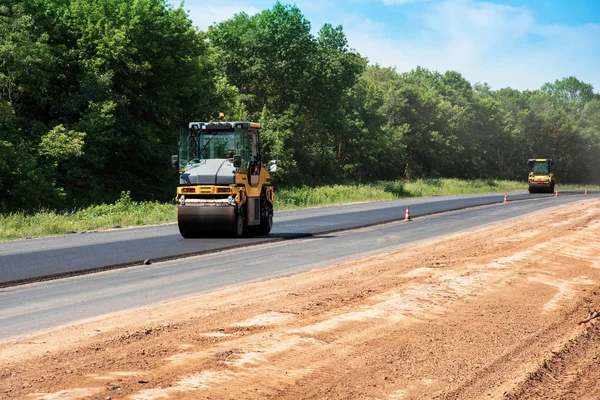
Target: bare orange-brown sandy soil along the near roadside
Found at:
x=508, y=311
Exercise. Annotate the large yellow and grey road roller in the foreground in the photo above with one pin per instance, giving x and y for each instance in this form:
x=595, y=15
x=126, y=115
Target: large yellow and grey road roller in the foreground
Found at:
x=224, y=186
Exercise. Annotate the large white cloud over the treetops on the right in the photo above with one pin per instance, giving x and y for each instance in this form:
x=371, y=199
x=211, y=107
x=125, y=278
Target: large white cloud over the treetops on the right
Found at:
x=486, y=42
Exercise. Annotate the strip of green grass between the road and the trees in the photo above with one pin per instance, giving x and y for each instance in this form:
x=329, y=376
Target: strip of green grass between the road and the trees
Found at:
x=126, y=212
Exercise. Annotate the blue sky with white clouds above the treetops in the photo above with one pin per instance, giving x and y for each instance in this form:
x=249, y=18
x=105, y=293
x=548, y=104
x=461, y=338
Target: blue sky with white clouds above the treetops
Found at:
x=507, y=43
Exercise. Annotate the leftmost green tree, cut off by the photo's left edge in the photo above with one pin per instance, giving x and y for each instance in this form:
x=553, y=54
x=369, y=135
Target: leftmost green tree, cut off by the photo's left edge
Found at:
x=25, y=70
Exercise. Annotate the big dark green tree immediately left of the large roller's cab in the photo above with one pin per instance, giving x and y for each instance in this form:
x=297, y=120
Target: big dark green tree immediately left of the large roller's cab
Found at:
x=151, y=71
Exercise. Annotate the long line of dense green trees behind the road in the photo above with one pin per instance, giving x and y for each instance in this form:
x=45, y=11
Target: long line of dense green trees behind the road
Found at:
x=93, y=94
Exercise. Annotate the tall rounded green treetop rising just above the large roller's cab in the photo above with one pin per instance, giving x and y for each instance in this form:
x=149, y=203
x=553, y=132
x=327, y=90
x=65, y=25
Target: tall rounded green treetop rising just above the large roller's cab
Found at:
x=266, y=56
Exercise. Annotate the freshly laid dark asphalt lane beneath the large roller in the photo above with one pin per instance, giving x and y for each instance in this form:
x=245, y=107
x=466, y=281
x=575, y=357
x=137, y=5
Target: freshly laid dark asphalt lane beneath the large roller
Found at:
x=29, y=260
